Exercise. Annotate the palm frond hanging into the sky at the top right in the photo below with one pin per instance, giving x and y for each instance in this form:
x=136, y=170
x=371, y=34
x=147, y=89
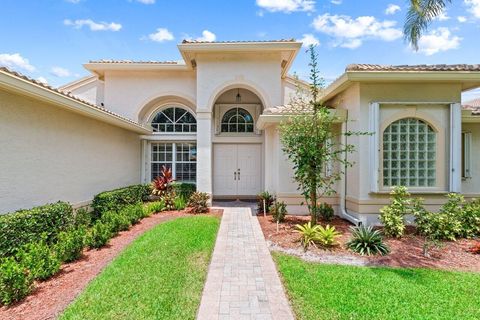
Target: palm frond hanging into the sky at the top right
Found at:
x=419, y=16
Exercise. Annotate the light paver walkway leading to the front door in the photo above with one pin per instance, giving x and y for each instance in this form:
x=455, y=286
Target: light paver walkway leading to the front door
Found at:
x=242, y=281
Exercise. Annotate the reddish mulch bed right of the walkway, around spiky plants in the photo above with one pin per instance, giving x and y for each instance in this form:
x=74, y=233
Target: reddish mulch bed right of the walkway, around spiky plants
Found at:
x=406, y=252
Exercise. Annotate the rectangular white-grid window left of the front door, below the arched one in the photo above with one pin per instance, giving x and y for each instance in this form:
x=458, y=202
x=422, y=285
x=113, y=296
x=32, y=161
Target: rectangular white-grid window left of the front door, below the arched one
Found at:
x=181, y=157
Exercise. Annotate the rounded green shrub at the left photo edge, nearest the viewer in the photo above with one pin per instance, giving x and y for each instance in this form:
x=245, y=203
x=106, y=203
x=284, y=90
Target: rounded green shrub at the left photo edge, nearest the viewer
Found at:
x=16, y=281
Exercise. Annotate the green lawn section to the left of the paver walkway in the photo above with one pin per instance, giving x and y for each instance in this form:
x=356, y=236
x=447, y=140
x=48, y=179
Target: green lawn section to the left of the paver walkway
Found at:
x=159, y=276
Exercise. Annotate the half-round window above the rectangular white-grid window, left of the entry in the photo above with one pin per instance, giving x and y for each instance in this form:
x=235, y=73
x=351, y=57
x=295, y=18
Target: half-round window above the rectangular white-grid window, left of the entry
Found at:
x=174, y=119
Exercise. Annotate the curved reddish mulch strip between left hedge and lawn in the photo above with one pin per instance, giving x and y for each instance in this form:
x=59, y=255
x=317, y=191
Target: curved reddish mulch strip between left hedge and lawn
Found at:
x=51, y=297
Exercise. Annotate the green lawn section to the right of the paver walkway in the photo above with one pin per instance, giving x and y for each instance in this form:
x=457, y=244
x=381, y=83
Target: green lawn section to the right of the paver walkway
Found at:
x=320, y=291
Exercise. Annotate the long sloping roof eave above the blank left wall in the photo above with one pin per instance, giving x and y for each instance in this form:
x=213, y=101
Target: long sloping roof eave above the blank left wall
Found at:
x=26, y=88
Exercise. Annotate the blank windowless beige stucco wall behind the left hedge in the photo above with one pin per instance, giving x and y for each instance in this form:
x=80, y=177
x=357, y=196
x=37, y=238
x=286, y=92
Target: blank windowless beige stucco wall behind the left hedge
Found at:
x=49, y=154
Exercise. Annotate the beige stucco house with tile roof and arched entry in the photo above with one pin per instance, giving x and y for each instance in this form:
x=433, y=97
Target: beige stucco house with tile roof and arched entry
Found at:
x=213, y=119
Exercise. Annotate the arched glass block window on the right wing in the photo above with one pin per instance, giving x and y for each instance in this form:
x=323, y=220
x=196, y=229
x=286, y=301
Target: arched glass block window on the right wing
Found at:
x=409, y=154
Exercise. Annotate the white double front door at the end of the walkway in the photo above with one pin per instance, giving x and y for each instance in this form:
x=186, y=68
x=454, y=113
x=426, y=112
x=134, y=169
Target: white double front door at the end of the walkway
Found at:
x=237, y=170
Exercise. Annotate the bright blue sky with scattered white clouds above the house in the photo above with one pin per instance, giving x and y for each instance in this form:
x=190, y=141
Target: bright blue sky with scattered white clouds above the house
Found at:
x=50, y=39
